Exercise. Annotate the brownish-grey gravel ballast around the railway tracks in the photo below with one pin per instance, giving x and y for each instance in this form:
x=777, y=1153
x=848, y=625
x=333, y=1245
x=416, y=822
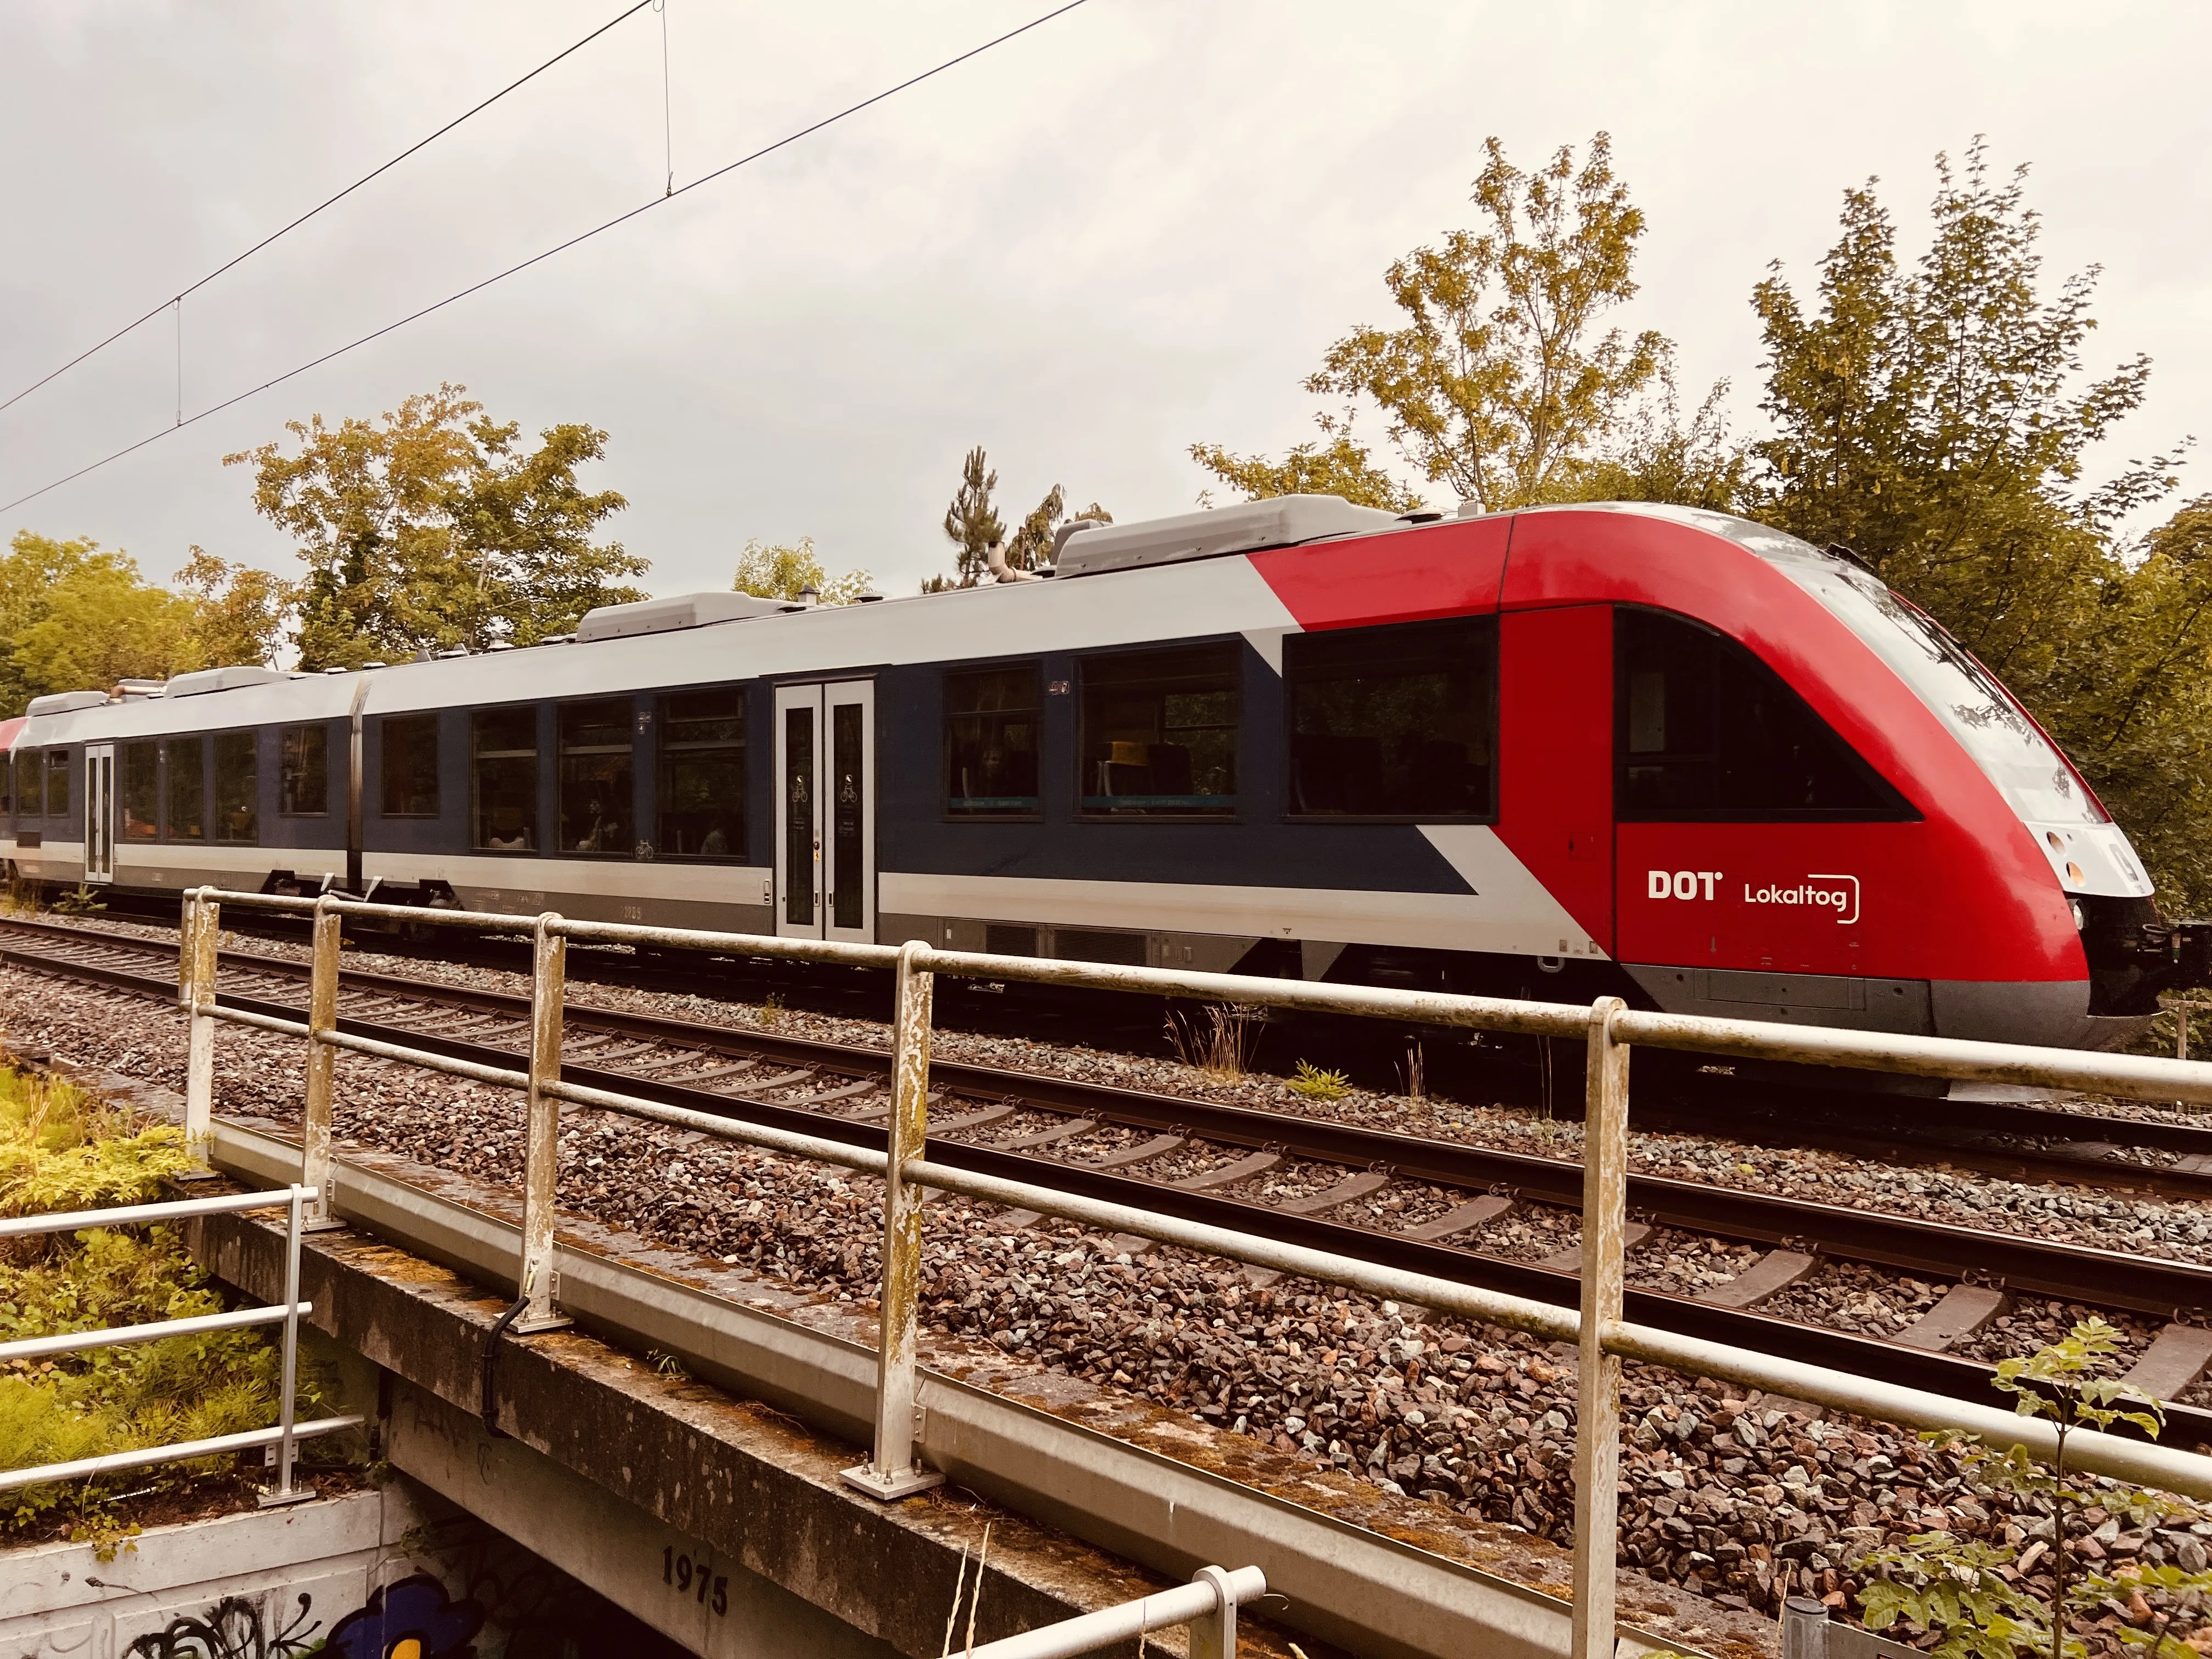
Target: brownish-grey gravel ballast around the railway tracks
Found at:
x=1729, y=1496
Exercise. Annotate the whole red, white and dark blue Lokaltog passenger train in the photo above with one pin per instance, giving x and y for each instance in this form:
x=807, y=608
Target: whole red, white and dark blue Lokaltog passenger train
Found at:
x=1554, y=753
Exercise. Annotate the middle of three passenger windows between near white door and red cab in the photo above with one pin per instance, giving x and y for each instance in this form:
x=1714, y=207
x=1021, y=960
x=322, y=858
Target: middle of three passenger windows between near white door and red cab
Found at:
x=1160, y=733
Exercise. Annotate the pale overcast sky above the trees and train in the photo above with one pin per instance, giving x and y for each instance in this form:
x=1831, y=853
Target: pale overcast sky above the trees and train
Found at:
x=1127, y=231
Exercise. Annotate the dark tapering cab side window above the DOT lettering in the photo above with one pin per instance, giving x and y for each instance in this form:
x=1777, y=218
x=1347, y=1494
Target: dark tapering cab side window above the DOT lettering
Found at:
x=1707, y=731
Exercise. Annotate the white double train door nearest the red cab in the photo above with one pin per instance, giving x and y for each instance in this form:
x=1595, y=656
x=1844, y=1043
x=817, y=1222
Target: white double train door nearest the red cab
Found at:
x=826, y=811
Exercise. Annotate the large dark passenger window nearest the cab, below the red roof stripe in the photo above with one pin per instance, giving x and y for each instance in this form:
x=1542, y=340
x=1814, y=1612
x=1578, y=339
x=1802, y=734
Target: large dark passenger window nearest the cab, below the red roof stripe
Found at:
x=1395, y=722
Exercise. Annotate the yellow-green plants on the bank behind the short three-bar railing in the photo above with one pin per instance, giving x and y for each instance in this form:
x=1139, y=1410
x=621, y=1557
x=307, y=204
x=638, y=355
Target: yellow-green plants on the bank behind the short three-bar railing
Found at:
x=63, y=1149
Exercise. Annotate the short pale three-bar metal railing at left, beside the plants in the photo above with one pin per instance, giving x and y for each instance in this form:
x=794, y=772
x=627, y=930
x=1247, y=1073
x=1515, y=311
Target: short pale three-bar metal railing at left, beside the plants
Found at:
x=284, y=1434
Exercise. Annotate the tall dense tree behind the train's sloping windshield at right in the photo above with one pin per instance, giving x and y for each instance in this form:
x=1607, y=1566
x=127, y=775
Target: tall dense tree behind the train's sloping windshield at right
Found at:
x=1939, y=421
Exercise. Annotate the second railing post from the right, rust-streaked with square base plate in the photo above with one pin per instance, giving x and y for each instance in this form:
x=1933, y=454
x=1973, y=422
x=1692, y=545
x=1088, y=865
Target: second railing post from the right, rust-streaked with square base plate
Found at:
x=890, y=1470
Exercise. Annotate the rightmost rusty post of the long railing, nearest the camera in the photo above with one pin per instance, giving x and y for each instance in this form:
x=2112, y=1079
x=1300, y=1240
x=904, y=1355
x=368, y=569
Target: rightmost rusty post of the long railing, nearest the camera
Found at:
x=1598, y=1390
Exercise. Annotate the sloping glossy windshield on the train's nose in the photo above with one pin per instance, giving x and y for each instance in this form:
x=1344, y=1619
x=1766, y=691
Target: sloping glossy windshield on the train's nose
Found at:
x=2010, y=749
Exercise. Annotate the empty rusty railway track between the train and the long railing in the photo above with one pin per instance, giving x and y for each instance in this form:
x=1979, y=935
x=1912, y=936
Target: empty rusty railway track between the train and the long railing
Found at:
x=1100, y=1140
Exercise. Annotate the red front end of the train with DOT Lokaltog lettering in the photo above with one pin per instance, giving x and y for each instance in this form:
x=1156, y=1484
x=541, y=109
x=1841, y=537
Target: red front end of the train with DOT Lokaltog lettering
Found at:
x=1970, y=888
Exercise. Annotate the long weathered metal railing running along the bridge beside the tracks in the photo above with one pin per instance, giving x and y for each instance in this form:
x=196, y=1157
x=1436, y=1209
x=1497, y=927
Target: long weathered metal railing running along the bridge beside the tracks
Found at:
x=1609, y=1030
